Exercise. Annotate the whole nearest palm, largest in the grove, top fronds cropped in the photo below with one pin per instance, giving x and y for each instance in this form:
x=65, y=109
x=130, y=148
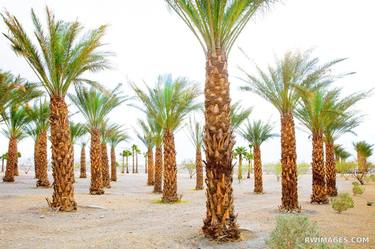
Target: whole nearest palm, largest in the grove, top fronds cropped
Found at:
x=216, y=25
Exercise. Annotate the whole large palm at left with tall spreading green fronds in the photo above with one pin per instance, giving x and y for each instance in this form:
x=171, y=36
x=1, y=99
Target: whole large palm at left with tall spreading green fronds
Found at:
x=59, y=60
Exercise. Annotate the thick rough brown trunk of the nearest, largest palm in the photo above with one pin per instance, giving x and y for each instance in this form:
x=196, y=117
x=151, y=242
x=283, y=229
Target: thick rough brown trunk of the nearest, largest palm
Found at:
x=220, y=222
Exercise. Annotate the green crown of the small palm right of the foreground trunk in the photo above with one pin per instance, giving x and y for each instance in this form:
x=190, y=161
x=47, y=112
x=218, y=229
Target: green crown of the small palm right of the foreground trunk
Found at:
x=257, y=132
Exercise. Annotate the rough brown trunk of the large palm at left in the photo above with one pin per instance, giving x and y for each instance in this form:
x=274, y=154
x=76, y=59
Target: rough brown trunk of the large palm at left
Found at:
x=62, y=163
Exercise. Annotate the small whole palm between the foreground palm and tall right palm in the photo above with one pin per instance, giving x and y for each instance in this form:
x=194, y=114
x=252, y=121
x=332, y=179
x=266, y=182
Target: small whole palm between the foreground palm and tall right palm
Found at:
x=256, y=133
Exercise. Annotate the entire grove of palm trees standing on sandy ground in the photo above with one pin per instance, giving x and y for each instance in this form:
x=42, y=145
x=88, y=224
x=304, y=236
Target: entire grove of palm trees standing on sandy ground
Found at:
x=298, y=85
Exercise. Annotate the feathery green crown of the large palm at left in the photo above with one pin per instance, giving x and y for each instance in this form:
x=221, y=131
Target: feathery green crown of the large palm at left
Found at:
x=61, y=55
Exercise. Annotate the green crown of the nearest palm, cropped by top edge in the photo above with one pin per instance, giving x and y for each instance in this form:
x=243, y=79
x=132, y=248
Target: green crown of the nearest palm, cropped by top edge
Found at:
x=217, y=24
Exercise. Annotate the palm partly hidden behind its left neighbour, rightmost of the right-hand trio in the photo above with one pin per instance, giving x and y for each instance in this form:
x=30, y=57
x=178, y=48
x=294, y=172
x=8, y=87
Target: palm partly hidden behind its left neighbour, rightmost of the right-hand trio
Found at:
x=344, y=123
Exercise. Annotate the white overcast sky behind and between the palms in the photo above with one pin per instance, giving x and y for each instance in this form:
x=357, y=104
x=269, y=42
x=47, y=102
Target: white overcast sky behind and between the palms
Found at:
x=148, y=40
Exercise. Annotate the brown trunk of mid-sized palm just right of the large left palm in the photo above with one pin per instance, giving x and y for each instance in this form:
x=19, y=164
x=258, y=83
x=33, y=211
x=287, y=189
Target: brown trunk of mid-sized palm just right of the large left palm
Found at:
x=96, y=187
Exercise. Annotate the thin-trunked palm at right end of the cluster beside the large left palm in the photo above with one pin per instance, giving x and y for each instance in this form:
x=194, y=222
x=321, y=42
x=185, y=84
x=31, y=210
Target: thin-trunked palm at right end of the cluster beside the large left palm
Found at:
x=115, y=136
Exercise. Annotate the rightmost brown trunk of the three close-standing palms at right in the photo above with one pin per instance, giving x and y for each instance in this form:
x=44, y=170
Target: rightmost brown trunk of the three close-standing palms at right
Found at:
x=330, y=169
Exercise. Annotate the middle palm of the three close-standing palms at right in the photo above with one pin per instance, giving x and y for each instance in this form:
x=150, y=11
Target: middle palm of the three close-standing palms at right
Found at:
x=316, y=111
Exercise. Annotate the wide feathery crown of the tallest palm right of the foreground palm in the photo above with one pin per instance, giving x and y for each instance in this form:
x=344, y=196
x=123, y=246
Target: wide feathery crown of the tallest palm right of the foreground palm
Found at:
x=279, y=84
